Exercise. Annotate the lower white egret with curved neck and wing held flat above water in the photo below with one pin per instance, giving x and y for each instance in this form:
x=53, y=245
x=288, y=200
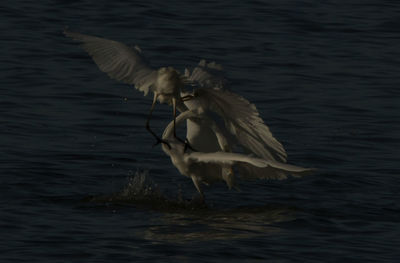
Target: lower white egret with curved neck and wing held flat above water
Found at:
x=209, y=167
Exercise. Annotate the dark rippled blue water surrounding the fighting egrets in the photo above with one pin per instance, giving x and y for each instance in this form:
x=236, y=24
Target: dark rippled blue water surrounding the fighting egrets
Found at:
x=325, y=77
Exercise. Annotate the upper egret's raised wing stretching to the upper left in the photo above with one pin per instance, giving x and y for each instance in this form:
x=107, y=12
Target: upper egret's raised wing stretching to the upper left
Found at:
x=119, y=61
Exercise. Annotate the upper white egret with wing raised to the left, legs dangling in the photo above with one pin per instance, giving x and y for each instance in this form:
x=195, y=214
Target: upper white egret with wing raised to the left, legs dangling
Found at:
x=127, y=64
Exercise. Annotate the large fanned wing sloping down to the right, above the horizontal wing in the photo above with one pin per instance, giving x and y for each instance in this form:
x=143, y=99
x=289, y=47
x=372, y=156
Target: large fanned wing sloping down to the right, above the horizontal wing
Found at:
x=242, y=120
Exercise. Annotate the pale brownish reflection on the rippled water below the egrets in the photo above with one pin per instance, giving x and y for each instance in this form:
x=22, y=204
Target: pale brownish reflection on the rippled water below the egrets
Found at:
x=238, y=223
